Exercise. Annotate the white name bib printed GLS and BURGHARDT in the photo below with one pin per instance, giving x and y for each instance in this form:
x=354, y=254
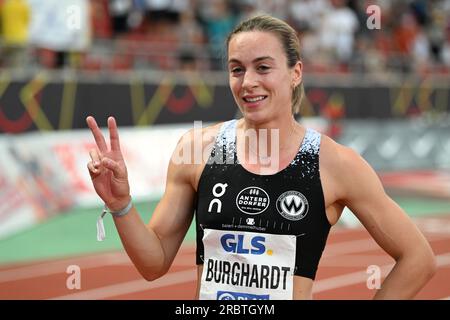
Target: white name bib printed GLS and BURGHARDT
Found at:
x=247, y=266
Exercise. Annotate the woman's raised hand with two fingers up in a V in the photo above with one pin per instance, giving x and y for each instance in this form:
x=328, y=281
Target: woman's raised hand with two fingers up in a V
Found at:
x=107, y=167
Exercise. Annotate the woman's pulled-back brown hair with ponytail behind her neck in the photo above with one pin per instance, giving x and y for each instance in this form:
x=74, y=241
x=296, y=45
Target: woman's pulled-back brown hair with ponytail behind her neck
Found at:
x=288, y=38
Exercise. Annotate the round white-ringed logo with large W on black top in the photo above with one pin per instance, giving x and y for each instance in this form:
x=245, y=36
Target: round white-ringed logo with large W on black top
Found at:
x=292, y=205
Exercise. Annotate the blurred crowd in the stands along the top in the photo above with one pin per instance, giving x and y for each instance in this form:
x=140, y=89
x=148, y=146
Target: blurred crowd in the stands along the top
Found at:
x=336, y=35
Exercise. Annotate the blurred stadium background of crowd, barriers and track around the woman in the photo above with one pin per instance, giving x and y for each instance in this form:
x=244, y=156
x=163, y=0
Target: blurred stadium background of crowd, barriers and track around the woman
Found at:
x=157, y=66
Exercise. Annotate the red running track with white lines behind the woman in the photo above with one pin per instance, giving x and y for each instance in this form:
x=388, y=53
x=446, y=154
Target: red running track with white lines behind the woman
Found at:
x=342, y=272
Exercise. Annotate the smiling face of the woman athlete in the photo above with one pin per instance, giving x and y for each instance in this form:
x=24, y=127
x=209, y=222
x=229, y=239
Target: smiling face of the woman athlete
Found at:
x=260, y=79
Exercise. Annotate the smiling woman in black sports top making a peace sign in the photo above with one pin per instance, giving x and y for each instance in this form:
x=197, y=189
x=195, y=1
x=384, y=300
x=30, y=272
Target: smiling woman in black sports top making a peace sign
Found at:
x=263, y=210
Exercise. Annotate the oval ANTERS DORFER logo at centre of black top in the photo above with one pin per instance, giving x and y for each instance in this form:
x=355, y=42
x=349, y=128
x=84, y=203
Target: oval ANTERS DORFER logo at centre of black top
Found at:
x=252, y=200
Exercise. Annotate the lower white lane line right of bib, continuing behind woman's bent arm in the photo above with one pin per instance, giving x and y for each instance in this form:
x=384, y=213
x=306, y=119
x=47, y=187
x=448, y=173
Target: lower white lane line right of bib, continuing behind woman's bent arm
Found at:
x=348, y=279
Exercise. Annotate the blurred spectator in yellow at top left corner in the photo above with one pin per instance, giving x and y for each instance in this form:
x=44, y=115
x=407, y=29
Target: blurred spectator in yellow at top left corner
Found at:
x=15, y=19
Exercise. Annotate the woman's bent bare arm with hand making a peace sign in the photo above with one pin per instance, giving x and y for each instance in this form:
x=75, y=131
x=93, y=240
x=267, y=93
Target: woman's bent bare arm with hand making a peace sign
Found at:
x=151, y=247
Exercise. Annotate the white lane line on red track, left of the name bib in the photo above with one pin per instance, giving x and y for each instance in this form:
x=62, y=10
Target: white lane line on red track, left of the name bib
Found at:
x=134, y=286
